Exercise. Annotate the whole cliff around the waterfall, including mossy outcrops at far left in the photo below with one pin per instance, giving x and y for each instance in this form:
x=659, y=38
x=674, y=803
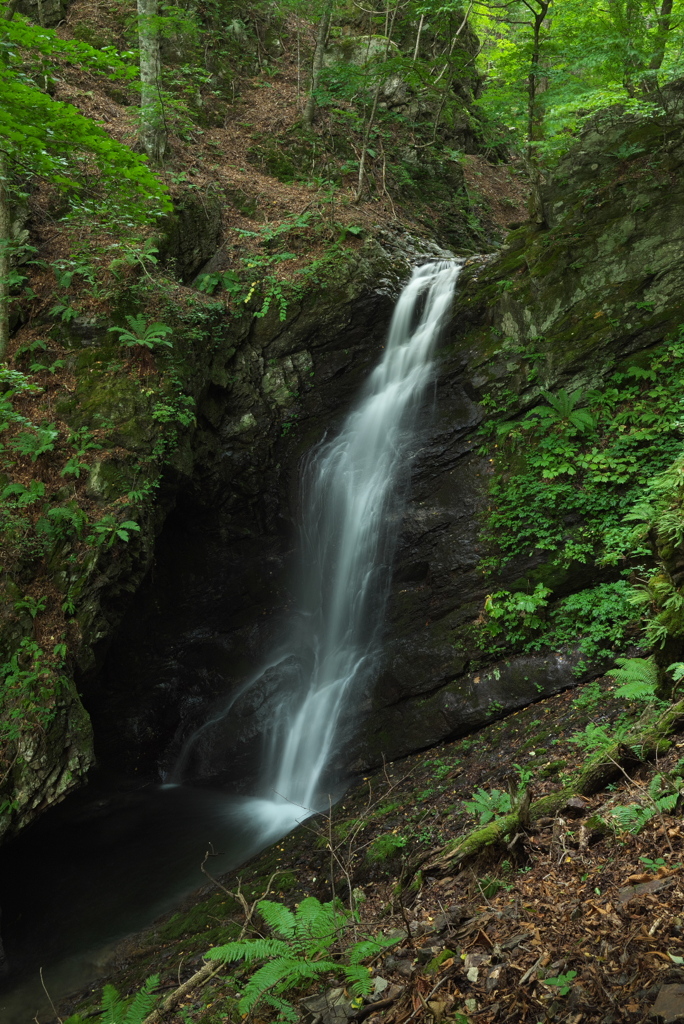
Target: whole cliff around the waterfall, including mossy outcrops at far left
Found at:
x=170, y=622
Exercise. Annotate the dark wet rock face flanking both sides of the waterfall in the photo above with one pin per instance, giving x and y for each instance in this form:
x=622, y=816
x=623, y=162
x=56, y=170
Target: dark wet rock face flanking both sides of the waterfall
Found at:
x=584, y=287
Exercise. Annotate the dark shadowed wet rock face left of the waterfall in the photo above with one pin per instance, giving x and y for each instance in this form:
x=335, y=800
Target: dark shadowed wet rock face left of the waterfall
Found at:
x=213, y=605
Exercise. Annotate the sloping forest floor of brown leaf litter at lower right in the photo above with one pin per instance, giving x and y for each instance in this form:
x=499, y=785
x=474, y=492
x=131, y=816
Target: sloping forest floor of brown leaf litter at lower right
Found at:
x=573, y=921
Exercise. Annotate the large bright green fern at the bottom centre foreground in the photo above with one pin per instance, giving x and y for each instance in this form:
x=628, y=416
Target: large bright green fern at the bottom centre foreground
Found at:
x=301, y=952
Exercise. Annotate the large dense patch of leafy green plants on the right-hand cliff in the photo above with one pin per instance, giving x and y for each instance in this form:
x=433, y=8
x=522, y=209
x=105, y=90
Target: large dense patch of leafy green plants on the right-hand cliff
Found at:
x=575, y=483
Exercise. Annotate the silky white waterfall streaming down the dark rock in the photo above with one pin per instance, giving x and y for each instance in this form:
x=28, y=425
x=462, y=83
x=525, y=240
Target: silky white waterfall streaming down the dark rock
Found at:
x=352, y=494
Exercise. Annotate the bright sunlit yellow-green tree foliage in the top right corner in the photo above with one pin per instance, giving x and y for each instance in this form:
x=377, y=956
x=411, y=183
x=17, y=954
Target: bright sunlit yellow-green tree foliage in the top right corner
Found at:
x=591, y=57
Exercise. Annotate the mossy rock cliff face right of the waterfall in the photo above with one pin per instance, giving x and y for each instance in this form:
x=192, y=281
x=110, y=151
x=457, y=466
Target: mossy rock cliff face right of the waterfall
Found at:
x=591, y=288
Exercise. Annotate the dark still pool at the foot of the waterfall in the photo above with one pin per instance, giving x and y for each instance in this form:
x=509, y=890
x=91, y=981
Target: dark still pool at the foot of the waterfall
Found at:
x=99, y=869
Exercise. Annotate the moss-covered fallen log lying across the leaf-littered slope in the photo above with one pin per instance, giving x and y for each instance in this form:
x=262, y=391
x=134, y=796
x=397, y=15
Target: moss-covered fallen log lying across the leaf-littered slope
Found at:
x=595, y=776
